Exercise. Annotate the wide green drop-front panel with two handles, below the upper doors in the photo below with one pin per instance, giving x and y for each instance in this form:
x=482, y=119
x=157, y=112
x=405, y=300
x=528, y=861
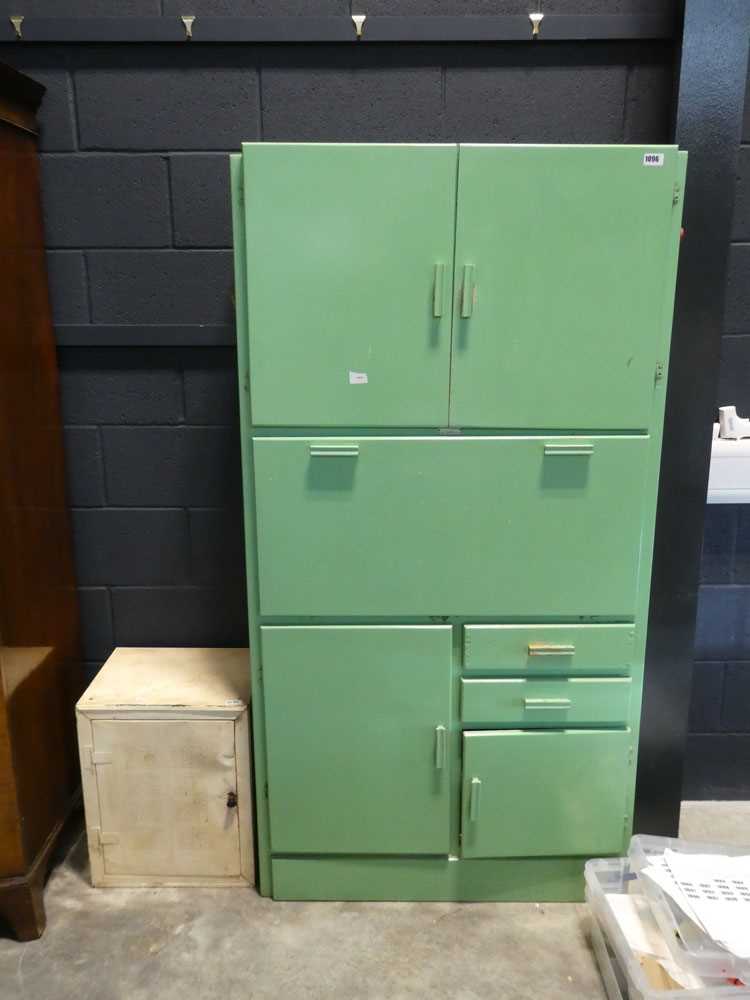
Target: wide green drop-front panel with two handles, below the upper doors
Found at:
x=513, y=526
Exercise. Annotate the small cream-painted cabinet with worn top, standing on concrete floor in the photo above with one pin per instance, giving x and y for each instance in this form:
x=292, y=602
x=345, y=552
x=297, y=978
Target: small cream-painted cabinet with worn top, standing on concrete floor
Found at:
x=163, y=736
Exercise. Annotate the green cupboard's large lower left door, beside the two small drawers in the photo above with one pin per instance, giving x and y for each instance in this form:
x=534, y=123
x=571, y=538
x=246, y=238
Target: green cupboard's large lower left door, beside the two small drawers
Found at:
x=356, y=729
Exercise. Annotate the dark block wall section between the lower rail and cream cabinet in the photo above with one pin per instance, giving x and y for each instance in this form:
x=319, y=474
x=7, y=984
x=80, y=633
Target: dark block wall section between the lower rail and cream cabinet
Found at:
x=153, y=468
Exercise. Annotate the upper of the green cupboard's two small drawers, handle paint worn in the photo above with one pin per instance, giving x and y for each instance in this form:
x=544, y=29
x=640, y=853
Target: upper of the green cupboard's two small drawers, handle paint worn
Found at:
x=549, y=649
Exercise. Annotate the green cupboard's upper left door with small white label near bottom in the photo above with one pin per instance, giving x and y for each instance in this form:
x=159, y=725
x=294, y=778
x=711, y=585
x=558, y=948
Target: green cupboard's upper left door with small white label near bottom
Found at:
x=349, y=281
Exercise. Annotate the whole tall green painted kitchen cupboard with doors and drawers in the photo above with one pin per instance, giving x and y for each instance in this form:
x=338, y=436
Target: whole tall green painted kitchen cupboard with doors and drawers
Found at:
x=452, y=363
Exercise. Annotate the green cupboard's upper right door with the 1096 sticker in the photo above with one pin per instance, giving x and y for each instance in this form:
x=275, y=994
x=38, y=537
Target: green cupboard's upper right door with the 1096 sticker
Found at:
x=562, y=257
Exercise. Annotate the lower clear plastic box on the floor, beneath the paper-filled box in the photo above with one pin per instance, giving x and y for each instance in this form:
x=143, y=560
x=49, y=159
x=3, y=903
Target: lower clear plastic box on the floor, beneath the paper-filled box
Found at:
x=628, y=974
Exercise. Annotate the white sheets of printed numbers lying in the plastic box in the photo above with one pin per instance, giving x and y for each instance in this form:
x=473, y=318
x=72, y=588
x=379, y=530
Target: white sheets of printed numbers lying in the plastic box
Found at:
x=712, y=891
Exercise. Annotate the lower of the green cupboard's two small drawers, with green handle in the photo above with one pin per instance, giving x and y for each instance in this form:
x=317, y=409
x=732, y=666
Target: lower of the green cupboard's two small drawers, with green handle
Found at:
x=539, y=704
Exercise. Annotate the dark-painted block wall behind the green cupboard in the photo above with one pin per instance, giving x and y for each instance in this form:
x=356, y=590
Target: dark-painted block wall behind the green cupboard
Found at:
x=134, y=150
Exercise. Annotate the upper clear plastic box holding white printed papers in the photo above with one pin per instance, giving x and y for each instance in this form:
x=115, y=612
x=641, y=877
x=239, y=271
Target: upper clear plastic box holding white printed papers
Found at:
x=723, y=905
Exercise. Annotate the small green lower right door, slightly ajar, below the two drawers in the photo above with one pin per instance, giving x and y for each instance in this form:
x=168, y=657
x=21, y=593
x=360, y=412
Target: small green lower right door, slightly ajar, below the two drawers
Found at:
x=530, y=794
